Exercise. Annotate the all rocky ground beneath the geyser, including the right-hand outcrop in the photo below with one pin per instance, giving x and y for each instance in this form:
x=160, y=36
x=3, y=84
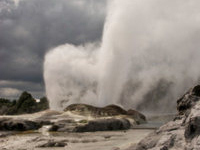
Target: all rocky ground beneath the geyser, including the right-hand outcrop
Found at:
x=120, y=129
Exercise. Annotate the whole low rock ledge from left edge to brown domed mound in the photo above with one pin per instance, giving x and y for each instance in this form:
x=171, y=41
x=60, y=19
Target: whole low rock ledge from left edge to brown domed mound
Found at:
x=75, y=118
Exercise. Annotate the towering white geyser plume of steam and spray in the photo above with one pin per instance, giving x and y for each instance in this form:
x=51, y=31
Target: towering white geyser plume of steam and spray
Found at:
x=149, y=55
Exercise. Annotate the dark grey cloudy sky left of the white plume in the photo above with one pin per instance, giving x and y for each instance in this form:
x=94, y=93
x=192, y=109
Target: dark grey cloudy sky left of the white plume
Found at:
x=29, y=28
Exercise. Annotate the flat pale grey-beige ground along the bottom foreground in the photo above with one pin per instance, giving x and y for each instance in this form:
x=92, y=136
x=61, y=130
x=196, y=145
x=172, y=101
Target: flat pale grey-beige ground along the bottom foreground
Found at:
x=115, y=140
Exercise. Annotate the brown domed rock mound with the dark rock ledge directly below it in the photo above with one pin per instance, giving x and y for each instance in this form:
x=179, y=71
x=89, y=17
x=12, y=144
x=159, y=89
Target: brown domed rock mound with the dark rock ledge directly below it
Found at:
x=111, y=117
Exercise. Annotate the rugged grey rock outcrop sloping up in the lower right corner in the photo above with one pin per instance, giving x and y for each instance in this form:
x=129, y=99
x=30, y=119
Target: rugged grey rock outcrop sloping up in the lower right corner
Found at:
x=180, y=134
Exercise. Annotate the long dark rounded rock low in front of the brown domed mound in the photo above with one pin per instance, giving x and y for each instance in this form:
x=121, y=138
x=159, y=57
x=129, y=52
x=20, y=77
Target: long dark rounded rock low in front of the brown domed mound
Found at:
x=104, y=125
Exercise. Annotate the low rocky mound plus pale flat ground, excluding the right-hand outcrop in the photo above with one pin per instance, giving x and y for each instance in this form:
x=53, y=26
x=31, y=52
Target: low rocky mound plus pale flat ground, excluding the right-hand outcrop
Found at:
x=75, y=128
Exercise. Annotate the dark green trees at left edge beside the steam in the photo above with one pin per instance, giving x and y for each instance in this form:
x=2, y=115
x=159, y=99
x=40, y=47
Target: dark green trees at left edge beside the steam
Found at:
x=25, y=104
